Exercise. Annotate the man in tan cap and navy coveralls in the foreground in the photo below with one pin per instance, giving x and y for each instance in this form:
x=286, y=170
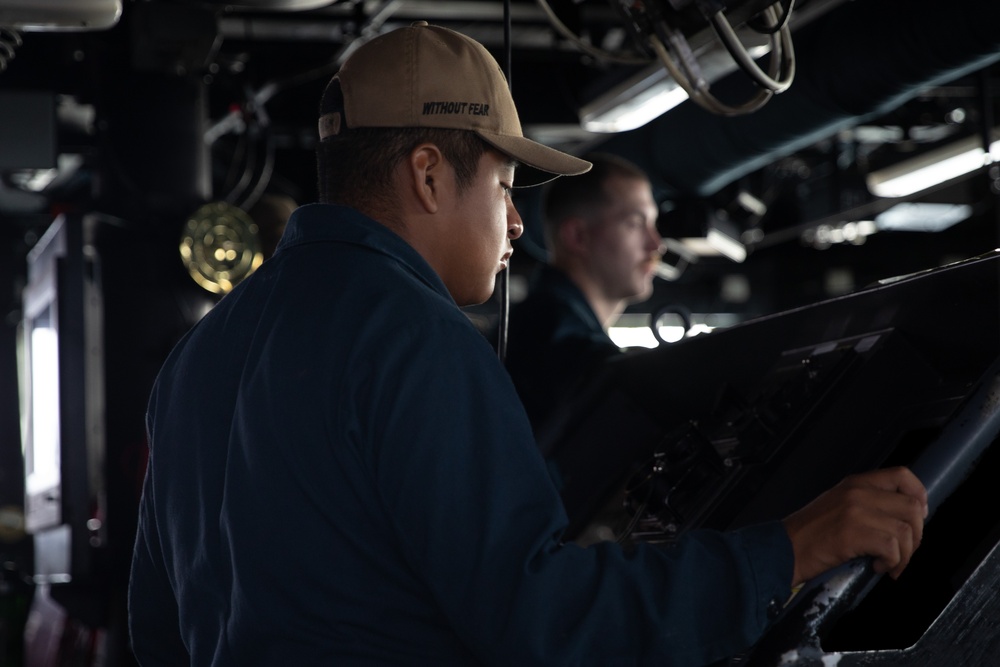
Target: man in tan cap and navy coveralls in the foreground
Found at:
x=340, y=470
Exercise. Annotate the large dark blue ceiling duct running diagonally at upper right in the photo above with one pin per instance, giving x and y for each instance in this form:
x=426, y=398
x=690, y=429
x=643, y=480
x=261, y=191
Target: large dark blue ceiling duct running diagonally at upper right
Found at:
x=863, y=60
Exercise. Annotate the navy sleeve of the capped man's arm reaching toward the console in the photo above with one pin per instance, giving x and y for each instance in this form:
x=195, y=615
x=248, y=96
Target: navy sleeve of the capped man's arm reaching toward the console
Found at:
x=478, y=515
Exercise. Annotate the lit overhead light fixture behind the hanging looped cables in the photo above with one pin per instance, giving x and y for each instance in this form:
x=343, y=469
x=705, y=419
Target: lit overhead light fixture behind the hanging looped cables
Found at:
x=650, y=93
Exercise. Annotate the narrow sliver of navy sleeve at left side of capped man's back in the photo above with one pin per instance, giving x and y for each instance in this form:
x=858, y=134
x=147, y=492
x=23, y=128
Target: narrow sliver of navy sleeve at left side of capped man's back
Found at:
x=152, y=608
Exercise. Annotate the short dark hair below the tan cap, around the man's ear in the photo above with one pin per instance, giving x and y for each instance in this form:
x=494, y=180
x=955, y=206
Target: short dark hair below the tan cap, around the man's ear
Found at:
x=355, y=168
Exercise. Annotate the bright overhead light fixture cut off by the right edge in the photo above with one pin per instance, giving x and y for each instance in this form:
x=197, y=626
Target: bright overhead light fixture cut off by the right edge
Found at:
x=934, y=167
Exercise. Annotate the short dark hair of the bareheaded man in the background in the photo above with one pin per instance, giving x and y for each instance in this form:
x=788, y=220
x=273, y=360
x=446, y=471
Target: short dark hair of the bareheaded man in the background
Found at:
x=580, y=196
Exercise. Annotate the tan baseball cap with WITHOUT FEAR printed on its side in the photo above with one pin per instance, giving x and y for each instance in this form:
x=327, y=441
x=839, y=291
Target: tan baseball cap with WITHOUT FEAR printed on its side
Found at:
x=429, y=76
